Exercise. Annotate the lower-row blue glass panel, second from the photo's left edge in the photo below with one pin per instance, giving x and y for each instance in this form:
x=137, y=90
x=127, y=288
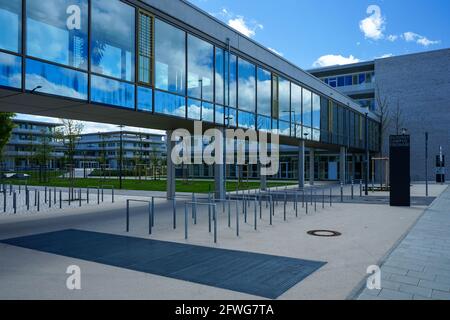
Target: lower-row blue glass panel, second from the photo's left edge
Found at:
x=56, y=80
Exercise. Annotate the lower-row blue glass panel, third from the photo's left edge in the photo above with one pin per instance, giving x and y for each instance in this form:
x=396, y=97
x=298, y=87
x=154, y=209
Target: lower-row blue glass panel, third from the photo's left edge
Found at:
x=113, y=92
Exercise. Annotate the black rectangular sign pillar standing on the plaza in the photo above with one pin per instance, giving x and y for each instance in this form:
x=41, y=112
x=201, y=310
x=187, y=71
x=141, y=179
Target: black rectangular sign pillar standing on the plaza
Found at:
x=400, y=167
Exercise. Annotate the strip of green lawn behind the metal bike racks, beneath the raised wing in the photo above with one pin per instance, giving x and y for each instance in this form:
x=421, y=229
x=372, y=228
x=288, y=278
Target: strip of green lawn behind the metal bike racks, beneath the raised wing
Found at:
x=149, y=185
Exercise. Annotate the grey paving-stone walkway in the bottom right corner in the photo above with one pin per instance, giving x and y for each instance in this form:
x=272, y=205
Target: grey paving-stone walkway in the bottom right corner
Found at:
x=419, y=267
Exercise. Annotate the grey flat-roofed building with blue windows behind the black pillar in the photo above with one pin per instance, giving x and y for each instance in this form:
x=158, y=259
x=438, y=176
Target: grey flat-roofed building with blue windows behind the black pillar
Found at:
x=416, y=88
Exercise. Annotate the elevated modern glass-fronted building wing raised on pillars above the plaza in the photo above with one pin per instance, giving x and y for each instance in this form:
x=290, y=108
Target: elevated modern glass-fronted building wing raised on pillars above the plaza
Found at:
x=162, y=64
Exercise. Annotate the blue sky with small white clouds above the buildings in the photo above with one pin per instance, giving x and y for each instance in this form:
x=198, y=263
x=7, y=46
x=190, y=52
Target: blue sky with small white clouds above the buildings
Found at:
x=326, y=32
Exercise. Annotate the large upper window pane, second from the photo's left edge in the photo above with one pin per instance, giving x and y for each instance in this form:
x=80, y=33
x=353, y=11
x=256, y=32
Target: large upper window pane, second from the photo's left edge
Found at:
x=55, y=35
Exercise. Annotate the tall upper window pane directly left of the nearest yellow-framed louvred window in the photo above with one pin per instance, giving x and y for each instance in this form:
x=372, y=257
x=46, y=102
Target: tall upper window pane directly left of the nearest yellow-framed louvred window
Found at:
x=113, y=39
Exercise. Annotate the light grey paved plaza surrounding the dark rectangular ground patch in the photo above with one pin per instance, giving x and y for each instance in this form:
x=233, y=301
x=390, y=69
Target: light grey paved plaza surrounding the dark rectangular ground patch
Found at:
x=369, y=231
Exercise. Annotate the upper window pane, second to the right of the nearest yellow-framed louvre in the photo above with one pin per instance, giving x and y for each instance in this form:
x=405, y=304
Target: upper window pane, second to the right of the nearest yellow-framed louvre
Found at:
x=200, y=69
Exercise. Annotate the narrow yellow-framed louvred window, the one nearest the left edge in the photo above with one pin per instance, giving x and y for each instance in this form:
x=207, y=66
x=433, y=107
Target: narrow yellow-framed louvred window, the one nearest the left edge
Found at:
x=145, y=47
